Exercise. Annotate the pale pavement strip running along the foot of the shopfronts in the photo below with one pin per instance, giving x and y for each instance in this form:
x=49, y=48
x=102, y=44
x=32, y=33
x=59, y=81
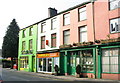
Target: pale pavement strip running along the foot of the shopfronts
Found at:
x=67, y=78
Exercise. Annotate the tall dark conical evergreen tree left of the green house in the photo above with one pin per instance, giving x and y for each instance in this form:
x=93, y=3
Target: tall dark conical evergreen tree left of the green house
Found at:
x=10, y=41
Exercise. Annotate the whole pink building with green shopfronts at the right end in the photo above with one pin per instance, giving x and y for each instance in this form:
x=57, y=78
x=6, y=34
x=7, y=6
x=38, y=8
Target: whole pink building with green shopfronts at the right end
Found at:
x=88, y=22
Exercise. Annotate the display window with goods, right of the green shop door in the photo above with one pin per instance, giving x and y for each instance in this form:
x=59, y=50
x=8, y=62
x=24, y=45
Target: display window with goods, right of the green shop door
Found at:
x=87, y=60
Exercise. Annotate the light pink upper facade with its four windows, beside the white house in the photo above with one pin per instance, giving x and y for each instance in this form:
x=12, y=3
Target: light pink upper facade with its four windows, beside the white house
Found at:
x=71, y=22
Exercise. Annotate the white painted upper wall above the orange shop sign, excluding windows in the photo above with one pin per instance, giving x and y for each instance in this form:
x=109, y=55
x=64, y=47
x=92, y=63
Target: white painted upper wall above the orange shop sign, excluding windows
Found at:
x=48, y=33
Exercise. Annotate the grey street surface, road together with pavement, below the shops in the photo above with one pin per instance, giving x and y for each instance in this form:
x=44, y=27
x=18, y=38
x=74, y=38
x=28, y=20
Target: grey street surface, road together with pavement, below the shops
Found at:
x=14, y=76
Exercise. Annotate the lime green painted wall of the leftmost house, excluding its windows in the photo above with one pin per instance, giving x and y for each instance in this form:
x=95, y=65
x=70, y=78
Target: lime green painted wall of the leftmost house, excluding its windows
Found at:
x=26, y=39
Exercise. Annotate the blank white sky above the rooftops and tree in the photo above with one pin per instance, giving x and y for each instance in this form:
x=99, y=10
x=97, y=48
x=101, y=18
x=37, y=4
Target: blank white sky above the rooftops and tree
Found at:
x=27, y=12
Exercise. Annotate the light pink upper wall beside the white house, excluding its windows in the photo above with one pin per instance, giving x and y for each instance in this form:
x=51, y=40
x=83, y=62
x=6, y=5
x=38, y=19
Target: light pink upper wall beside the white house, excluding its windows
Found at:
x=75, y=24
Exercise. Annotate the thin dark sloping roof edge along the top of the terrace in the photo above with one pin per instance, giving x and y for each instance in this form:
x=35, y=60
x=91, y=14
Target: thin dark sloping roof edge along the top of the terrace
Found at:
x=79, y=5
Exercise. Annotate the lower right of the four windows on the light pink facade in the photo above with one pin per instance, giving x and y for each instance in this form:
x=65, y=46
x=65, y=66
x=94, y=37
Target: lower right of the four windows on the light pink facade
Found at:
x=83, y=34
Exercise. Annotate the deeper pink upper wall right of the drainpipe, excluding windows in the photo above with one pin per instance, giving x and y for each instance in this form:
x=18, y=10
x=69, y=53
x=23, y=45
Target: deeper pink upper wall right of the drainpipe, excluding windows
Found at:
x=102, y=16
